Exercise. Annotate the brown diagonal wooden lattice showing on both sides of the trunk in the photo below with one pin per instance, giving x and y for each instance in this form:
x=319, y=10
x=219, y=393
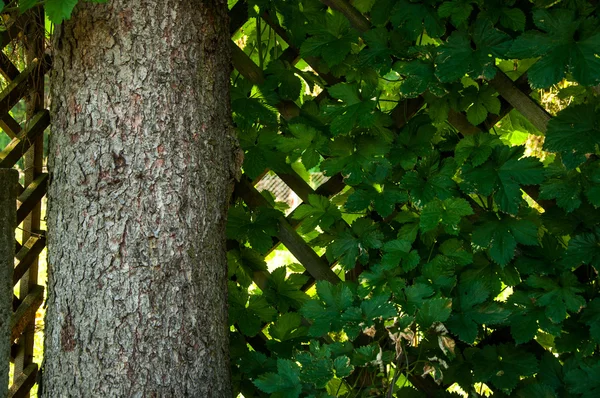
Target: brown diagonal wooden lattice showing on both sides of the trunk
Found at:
x=27, y=144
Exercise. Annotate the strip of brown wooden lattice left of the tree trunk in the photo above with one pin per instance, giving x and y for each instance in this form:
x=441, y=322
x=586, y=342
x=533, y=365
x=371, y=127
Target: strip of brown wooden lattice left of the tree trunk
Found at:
x=25, y=32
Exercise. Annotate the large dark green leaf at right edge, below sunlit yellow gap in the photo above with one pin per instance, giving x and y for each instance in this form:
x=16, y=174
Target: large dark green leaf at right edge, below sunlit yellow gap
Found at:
x=574, y=131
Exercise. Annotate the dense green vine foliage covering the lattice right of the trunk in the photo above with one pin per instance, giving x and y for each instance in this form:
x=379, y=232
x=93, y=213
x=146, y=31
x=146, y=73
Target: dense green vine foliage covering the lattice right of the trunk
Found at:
x=467, y=259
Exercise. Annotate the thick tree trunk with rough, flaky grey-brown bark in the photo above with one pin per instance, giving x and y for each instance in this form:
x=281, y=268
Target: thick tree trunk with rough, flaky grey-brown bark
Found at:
x=140, y=155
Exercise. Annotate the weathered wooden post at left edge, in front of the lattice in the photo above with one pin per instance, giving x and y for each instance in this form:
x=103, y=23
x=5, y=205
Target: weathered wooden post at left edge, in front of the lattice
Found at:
x=8, y=222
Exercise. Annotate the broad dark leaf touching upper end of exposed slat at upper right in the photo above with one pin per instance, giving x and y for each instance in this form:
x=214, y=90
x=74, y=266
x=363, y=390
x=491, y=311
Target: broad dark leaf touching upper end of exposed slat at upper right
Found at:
x=456, y=58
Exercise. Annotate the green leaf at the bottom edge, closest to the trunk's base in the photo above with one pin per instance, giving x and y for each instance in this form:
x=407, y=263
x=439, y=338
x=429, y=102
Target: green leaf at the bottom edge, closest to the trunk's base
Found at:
x=285, y=383
